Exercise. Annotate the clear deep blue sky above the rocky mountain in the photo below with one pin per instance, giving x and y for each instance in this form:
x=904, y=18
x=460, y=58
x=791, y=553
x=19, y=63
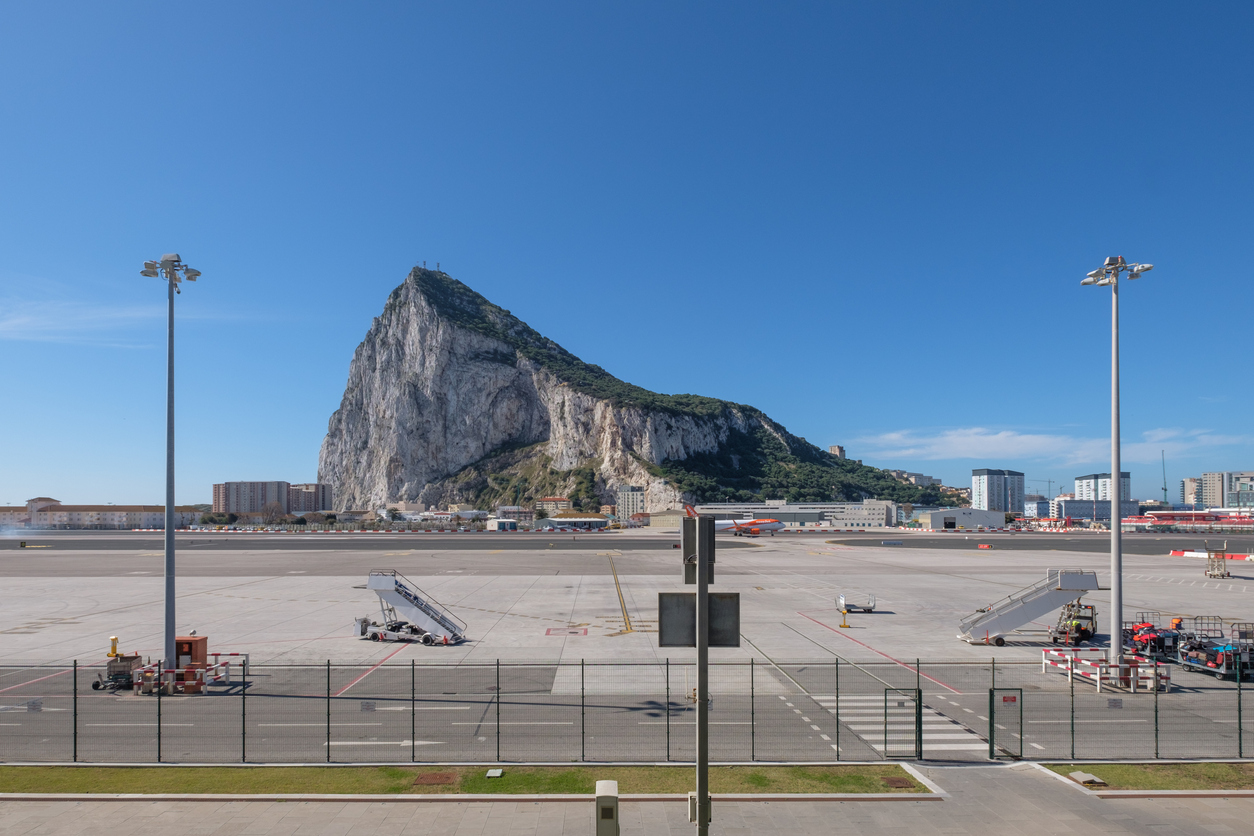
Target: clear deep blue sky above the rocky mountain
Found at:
x=868, y=220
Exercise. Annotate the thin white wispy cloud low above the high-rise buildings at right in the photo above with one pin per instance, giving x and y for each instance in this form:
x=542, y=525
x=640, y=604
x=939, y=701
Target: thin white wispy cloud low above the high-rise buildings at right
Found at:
x=985, y=444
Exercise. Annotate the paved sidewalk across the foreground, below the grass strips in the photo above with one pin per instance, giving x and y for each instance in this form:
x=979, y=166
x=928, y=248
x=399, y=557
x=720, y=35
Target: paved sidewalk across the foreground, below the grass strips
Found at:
x=1018, y=800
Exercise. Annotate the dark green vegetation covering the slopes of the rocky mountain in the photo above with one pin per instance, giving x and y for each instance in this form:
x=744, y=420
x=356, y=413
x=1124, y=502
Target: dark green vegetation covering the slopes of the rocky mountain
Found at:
x=767, y=462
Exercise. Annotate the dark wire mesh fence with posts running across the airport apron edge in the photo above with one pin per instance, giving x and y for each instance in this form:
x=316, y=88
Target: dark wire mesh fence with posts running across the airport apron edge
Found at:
x=623, y=713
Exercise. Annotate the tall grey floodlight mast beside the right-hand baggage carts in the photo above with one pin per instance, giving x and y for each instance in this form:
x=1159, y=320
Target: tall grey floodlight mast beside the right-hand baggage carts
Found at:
x=1109, y=275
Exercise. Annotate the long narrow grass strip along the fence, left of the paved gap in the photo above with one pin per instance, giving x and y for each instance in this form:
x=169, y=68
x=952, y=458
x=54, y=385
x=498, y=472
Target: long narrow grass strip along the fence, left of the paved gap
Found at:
x=517, y=780
